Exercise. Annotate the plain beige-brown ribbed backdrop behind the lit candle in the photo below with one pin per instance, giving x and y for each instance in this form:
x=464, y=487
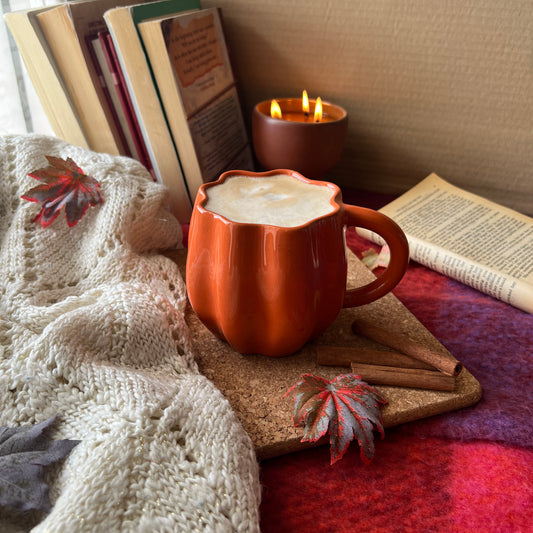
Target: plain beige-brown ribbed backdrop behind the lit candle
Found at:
x=430, y=86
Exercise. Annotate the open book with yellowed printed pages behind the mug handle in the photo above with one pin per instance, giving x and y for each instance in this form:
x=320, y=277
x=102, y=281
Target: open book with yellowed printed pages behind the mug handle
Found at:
x=468, y=238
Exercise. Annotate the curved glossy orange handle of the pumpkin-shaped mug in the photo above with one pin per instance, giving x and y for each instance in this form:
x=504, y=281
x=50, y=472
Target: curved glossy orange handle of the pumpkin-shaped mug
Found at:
x=399, y=254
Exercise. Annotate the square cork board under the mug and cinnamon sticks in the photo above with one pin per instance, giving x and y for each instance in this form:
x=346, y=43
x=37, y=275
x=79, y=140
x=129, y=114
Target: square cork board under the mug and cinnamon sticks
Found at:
x=255, y=385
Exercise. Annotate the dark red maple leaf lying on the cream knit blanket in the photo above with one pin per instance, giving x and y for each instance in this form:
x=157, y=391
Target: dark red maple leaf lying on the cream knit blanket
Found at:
x=64, y=184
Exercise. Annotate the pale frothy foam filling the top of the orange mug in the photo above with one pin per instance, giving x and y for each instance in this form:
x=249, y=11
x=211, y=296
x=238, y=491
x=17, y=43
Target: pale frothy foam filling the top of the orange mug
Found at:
x=278, y=200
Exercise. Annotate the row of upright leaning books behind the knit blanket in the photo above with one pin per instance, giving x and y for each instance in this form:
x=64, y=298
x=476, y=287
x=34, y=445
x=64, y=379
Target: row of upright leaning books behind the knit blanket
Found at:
x=151, y=81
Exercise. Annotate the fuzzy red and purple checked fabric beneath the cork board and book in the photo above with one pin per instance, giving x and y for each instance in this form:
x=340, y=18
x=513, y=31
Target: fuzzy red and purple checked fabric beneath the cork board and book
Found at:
x=466, y=471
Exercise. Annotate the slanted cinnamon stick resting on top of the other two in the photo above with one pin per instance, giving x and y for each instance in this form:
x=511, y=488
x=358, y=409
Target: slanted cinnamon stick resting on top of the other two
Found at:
x=445, y=363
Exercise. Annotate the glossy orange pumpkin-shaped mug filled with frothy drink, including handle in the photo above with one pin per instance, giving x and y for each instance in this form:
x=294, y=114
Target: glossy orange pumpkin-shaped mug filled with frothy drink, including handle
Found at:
x=266, y=264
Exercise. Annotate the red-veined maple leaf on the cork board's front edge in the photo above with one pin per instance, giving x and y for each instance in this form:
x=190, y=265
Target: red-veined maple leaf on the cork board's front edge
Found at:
x=346, y=407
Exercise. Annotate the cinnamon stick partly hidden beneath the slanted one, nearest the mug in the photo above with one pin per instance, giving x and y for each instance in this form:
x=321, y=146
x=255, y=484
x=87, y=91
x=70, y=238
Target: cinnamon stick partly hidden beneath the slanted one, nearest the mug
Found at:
x=344, y=356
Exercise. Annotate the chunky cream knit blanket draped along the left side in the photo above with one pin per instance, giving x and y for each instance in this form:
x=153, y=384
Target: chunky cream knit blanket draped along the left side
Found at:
x=92, y=328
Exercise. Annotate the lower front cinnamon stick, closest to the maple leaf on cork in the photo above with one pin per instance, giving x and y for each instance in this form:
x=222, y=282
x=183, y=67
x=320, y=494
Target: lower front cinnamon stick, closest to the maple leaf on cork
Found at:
x=404, y=377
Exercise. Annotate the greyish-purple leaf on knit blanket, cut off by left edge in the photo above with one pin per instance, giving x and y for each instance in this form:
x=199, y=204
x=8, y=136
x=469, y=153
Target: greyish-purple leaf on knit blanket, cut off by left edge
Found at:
x=24, y=452
